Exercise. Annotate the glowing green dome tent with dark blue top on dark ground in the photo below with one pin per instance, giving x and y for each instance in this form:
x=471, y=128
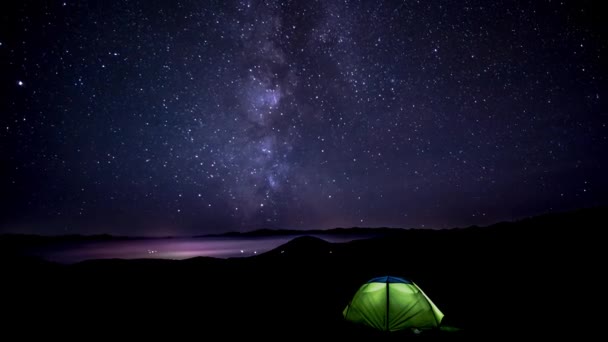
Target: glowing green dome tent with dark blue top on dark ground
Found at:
x=392, y=304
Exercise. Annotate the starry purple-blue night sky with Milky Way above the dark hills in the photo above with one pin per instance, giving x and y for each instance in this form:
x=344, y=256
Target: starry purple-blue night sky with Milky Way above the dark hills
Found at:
x=193, y=117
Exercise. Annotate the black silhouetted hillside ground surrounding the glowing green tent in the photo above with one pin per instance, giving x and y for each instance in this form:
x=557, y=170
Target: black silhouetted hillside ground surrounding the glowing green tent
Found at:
x=535, y=278
